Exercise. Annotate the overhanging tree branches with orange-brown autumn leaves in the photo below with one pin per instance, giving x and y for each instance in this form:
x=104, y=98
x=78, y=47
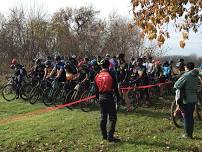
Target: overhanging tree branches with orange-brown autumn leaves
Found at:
x=153, y=16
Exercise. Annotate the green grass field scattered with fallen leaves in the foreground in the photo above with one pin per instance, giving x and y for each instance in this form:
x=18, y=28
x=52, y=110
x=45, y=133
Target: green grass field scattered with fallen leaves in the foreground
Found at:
x=147, y=129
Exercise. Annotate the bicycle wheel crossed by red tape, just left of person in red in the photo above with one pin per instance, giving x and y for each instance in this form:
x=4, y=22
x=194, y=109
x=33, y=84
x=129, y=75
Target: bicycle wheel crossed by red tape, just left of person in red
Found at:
x=87, y=105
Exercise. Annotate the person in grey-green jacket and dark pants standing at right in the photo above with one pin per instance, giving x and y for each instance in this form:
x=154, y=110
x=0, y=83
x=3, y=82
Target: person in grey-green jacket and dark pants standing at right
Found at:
x=188, y=85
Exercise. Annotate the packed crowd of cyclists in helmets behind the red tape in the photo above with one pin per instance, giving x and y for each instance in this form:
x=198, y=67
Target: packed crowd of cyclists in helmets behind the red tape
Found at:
x=137, y=72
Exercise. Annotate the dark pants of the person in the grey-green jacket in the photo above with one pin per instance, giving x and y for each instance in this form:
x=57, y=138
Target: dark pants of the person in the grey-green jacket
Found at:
x=188, y=118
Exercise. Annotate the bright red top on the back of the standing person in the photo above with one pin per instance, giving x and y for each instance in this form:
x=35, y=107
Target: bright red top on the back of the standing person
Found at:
x=104, y=82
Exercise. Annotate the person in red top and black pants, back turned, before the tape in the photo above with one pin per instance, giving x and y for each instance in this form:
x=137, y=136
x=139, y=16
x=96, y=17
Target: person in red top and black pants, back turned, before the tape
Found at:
x=106, y=87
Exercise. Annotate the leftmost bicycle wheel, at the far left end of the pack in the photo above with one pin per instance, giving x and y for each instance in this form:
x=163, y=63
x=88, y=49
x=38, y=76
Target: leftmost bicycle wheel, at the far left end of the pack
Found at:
x=9, y=92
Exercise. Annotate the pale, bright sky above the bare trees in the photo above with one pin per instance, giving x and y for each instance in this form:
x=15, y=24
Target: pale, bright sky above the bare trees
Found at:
x=122, y=7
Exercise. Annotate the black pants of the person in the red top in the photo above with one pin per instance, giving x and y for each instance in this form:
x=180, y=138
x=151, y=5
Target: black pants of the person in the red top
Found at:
x=108, y=109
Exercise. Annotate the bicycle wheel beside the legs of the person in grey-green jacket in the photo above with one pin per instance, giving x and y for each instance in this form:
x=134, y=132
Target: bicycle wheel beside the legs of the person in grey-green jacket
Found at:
x=176, y=116
